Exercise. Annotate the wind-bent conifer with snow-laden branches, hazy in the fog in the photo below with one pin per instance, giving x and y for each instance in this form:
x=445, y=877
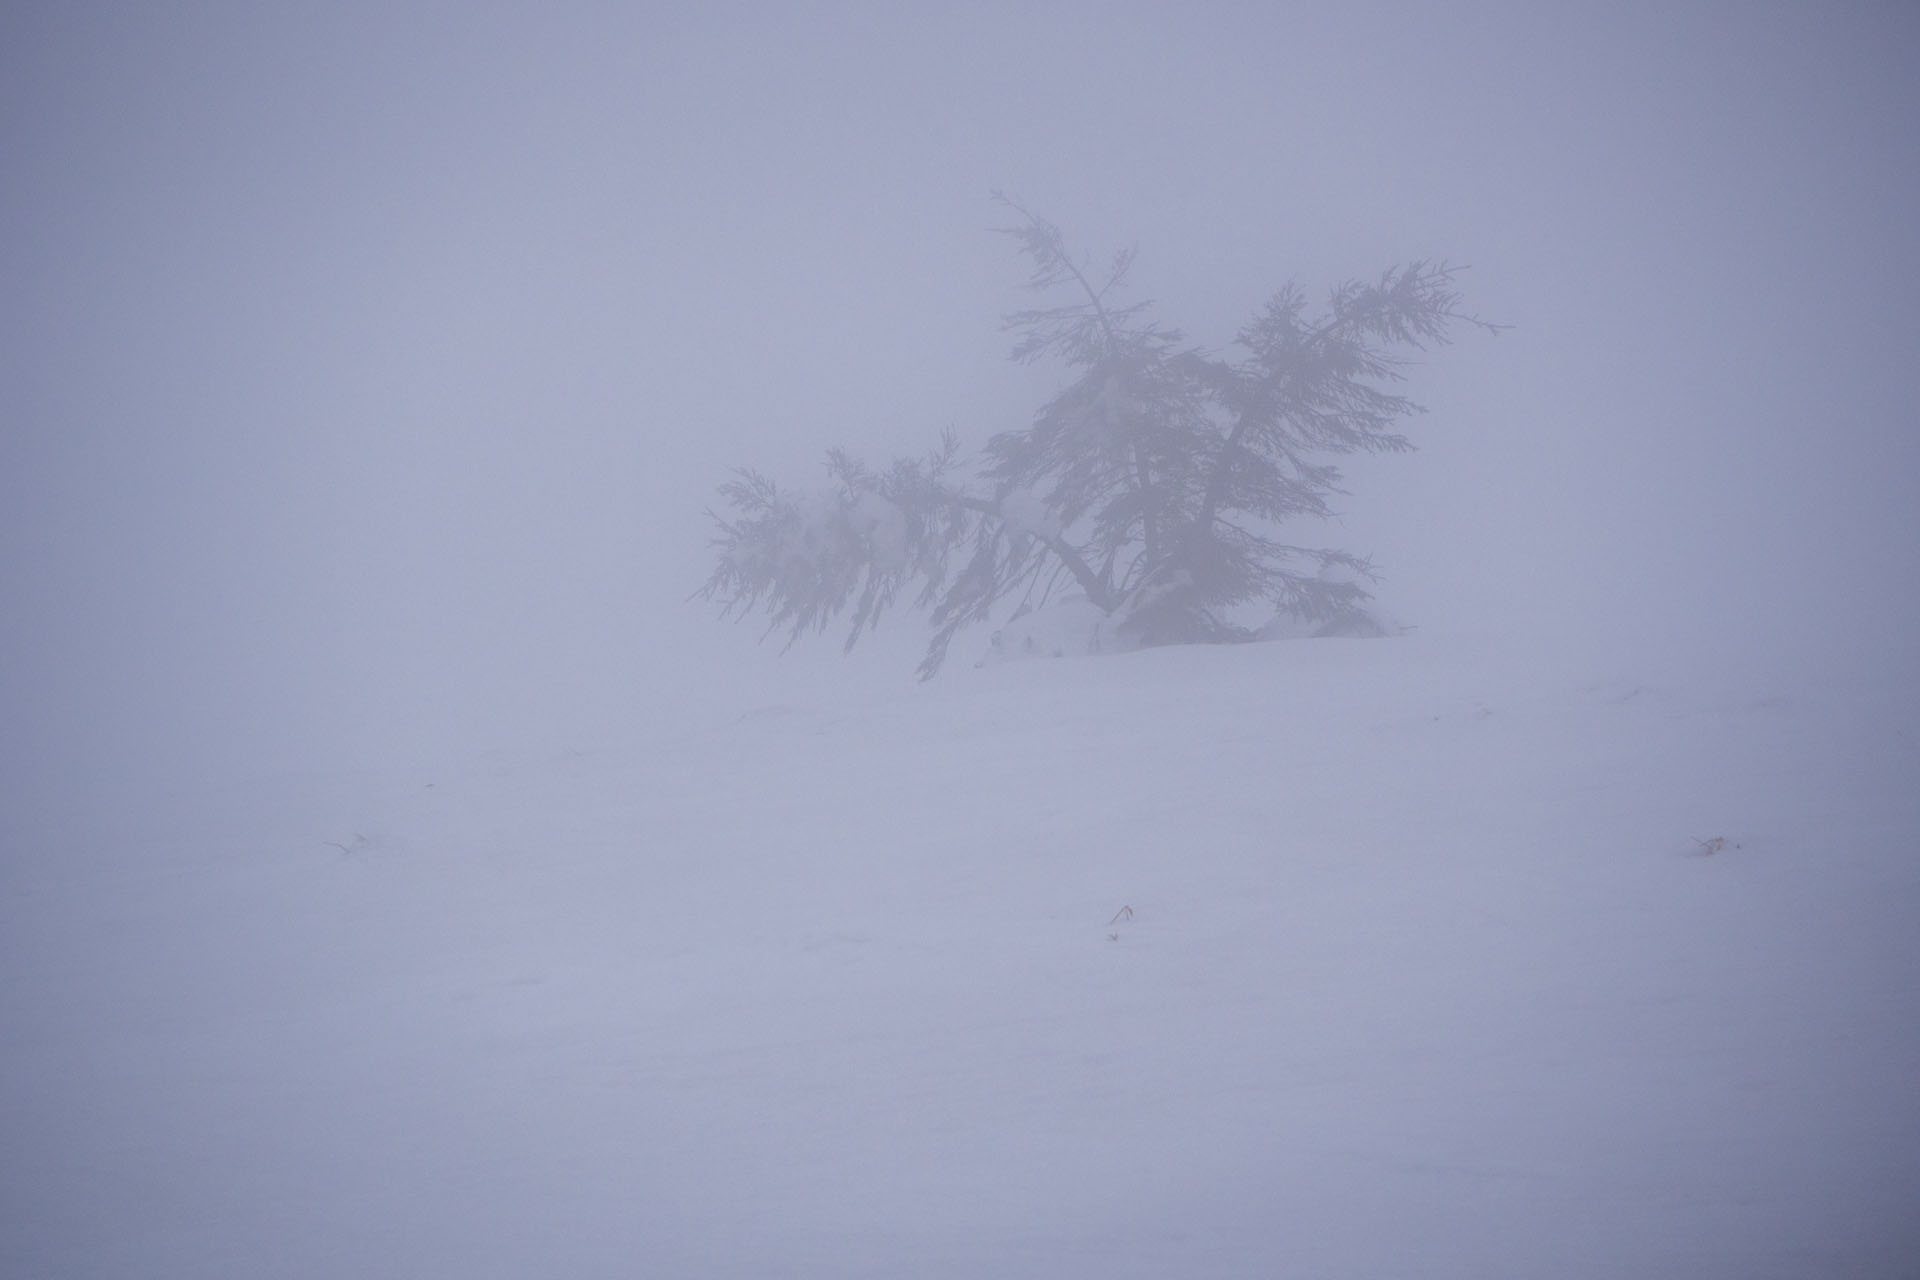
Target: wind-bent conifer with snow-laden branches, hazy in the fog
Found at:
x=1157, y=483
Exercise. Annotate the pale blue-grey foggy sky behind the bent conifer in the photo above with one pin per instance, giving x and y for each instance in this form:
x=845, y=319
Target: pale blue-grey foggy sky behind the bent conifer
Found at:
x=368, y=369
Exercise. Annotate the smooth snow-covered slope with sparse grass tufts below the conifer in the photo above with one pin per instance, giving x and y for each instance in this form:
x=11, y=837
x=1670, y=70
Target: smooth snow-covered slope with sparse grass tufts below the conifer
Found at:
x=1320, y=959
